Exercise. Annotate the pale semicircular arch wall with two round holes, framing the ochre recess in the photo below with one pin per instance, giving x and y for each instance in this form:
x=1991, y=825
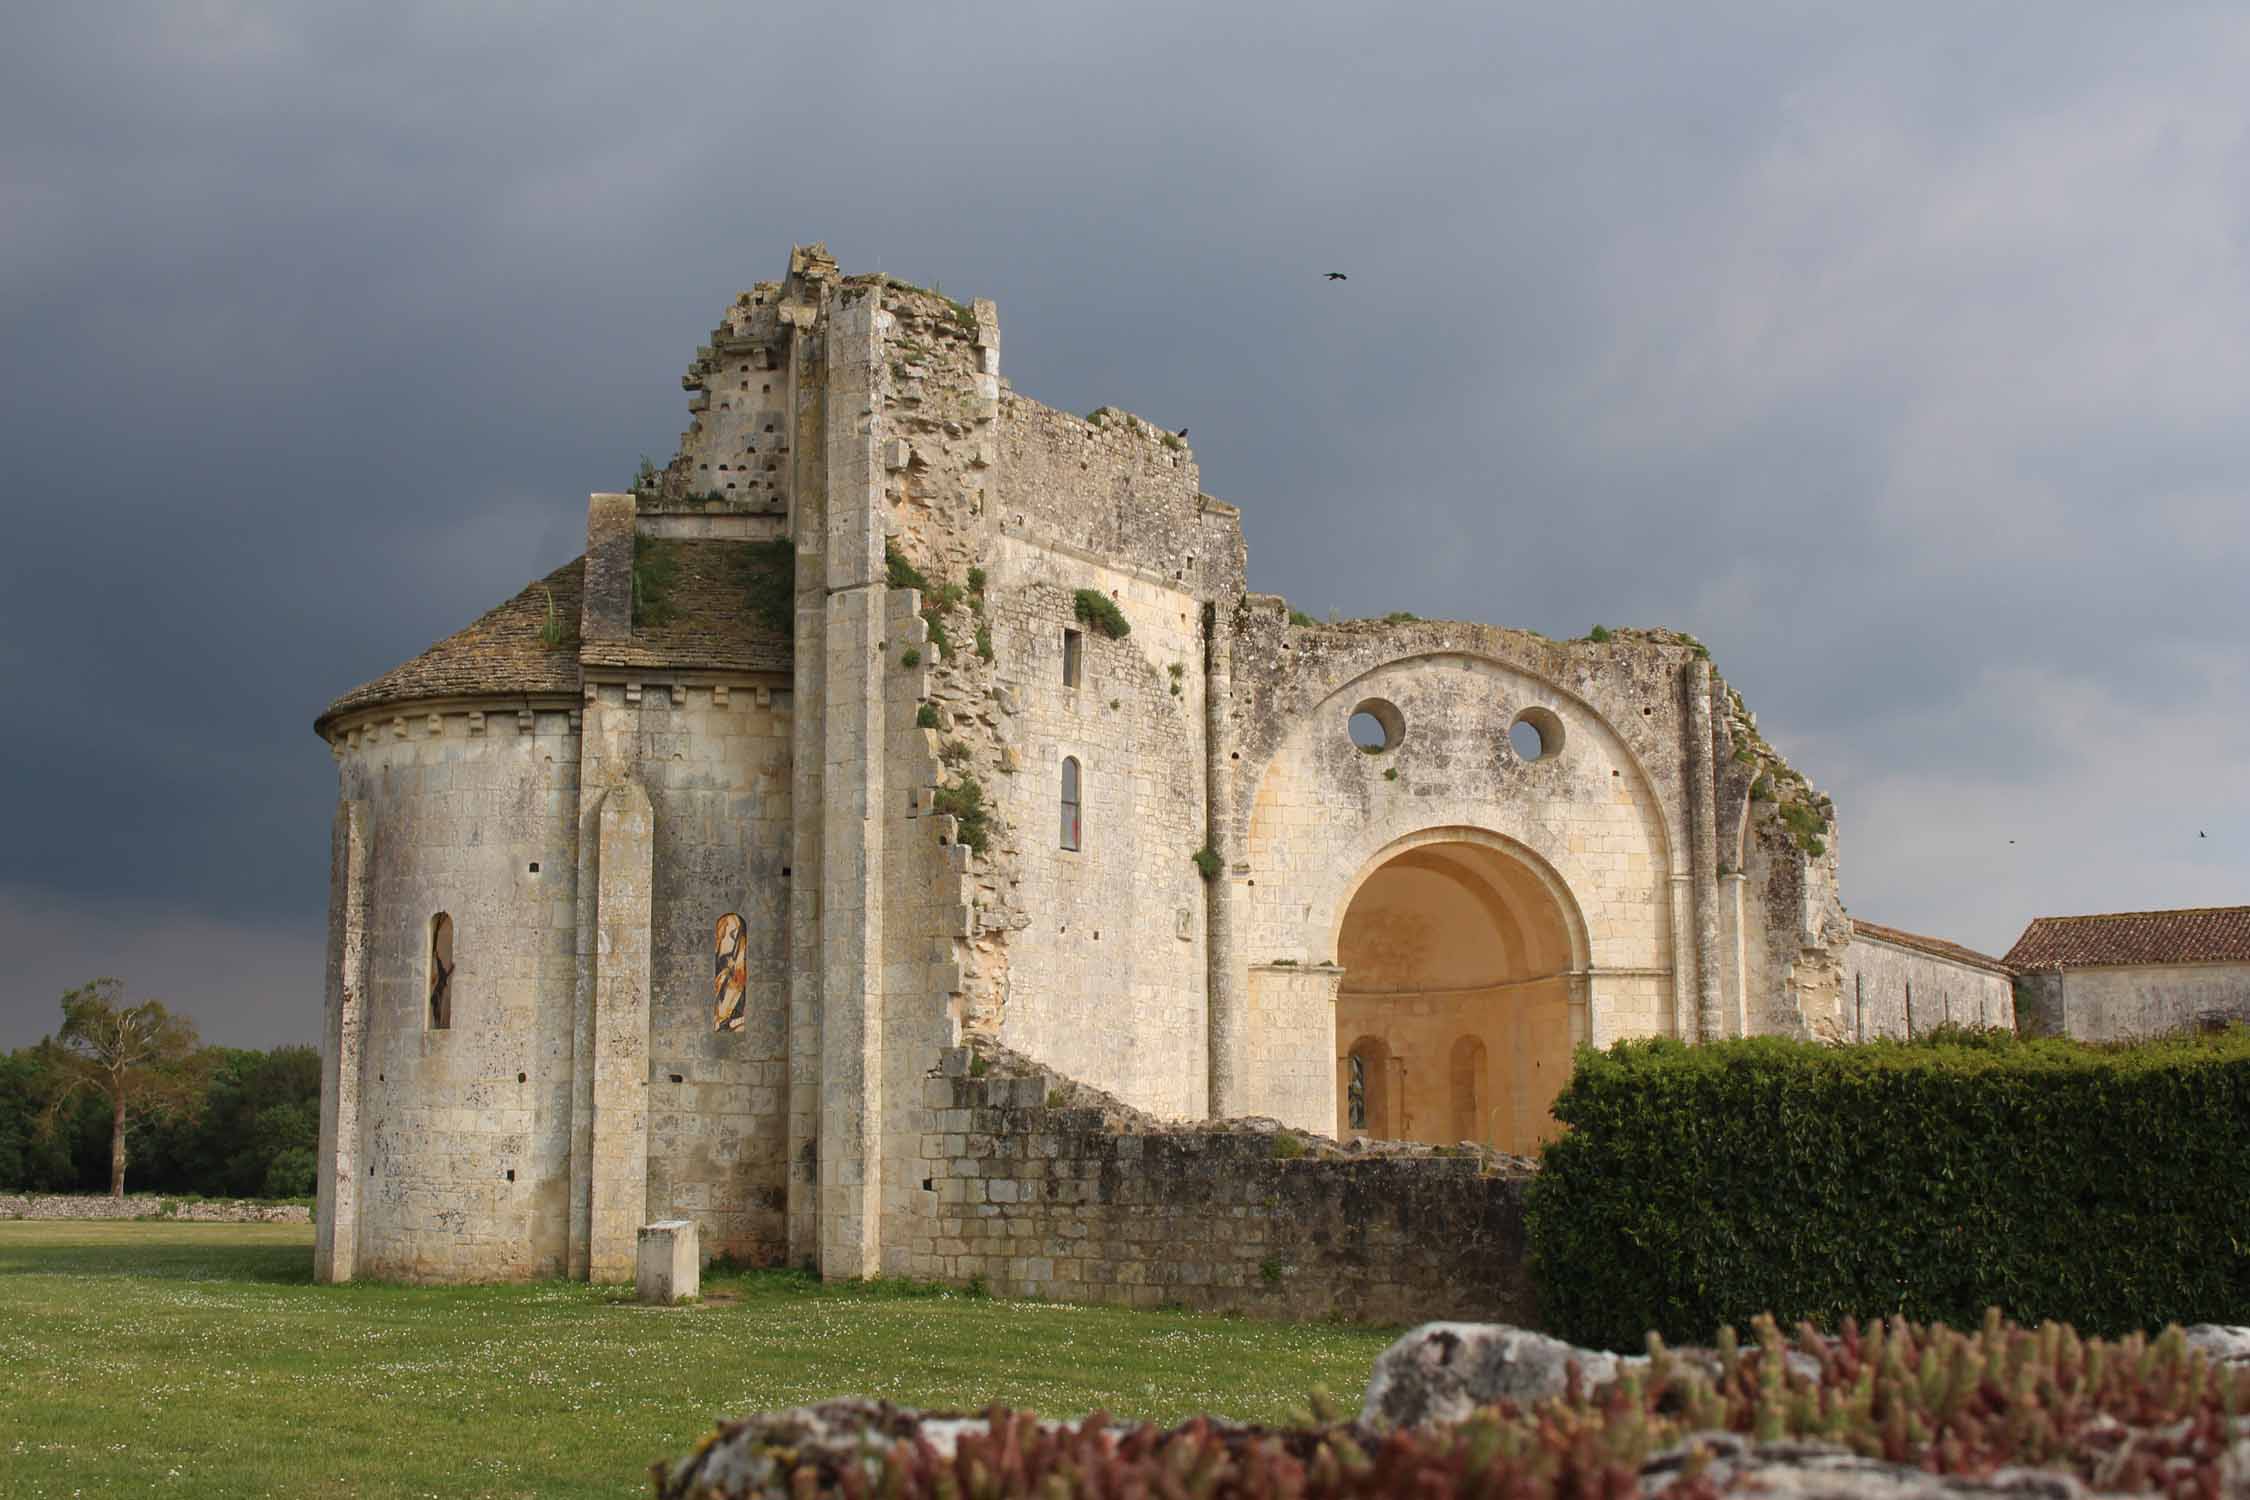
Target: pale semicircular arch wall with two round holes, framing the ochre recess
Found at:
x=1324, y=815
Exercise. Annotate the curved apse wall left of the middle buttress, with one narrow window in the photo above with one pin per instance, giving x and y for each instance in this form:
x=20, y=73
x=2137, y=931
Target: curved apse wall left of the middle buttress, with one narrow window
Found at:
x=465, y=1132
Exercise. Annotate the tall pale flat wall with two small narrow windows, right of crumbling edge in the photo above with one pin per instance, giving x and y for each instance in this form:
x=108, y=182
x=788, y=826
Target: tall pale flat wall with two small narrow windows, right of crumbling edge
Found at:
x=1097, y=959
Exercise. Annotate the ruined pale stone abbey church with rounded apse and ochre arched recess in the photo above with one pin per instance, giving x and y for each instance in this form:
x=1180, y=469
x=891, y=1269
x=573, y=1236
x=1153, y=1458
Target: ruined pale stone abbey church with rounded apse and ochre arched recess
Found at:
x=901, y=716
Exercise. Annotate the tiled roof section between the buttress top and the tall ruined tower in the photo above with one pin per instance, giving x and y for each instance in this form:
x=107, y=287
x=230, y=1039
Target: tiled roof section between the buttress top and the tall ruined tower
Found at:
x=714, y=620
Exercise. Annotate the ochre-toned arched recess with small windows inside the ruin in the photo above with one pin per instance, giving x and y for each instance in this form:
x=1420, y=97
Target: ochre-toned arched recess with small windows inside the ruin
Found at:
x=1459, y=970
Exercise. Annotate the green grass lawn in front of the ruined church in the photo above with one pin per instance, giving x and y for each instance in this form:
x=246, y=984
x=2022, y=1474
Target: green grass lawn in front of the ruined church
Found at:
x=199, y=1359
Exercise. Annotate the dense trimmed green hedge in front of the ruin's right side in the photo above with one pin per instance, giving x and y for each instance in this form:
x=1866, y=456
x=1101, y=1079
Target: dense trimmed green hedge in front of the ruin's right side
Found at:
x=2107, y=1189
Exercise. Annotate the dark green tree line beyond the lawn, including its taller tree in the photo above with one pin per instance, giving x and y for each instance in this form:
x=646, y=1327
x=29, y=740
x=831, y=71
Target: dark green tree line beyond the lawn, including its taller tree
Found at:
x=127, y=1092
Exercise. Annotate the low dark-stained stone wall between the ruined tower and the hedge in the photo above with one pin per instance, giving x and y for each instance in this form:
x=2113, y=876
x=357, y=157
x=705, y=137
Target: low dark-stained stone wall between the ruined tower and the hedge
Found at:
x=1052, y=1191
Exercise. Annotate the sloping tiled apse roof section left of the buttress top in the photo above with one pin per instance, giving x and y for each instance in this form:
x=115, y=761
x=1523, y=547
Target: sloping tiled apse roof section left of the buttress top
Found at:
x=498, y=656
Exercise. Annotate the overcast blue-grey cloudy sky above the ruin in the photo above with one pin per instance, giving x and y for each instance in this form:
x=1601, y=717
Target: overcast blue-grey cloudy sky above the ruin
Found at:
x=1902, y=354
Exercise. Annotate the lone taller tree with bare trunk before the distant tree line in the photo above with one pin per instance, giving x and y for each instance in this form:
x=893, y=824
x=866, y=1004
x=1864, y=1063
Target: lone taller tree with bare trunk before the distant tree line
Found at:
x=136, y=1058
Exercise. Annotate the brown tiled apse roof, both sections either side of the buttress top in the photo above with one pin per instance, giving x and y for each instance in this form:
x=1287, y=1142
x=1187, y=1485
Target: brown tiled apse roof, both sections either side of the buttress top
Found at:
x=717, y=624
